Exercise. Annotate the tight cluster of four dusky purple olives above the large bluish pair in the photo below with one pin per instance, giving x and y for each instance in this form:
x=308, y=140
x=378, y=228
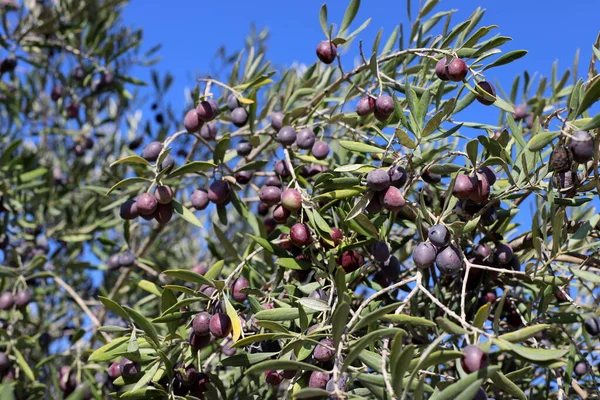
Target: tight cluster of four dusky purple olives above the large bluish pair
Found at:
x=386, y=187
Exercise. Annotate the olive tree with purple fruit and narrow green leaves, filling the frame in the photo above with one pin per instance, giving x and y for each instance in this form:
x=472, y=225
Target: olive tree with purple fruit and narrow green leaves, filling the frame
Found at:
x=336, y=231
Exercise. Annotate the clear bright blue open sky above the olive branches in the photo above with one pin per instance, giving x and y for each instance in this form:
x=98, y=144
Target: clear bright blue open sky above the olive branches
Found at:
x=191, y=31
